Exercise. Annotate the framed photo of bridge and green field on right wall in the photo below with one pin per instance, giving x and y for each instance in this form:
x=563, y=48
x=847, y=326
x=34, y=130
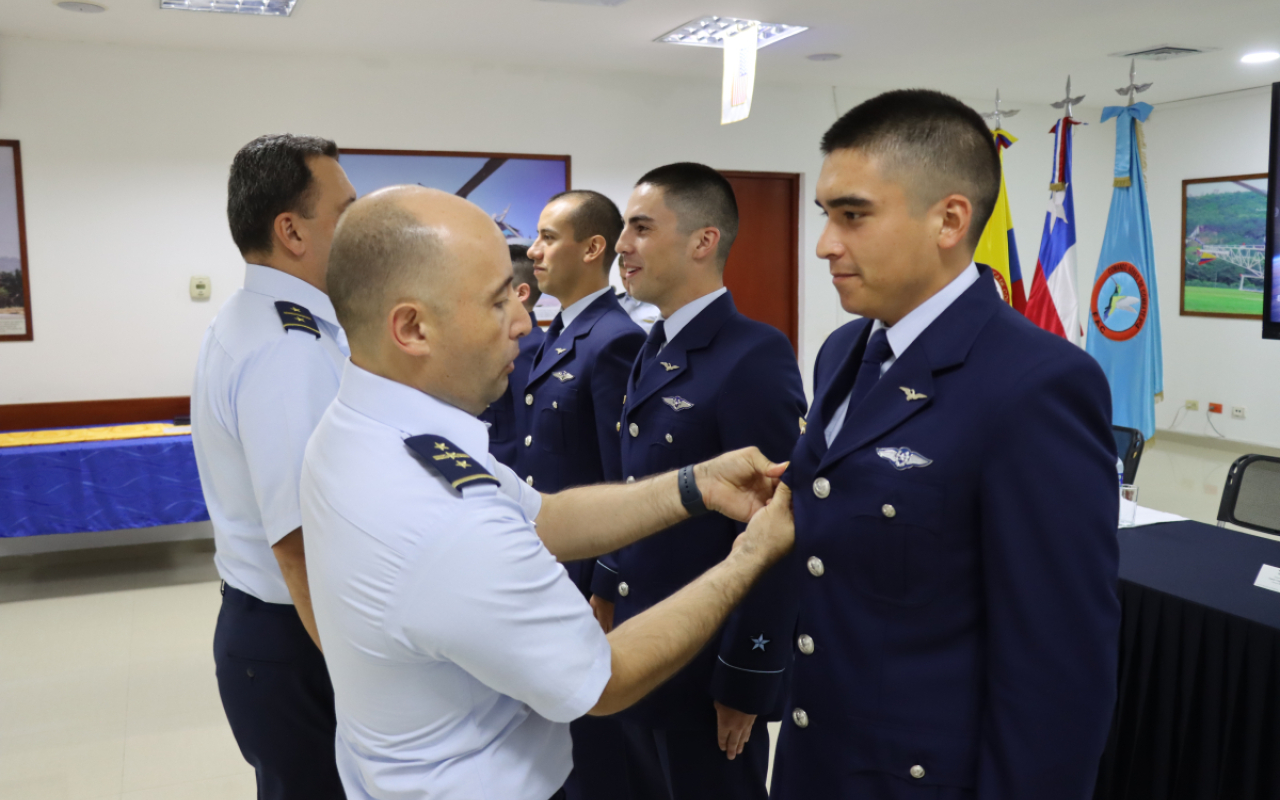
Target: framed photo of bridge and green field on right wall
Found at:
x=1224, y=246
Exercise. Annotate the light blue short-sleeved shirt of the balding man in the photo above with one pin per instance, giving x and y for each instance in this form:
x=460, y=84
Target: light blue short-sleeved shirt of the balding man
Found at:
x=459, y=648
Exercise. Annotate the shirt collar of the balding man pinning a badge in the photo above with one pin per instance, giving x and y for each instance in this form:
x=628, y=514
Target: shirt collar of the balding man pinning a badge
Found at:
x=412, y=412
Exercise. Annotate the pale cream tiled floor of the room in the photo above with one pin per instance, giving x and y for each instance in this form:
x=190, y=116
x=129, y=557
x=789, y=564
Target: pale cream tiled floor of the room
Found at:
x=107, y=678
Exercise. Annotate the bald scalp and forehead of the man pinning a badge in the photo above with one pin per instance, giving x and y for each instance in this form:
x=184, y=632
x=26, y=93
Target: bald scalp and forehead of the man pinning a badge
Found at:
x=404, y=244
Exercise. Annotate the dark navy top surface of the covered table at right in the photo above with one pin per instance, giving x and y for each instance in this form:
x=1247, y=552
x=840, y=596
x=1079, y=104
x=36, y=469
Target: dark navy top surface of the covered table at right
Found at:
x=1204, y=564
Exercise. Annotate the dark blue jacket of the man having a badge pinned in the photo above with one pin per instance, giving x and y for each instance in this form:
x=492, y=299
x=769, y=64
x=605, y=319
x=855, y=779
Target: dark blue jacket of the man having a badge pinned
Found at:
x=957, y=568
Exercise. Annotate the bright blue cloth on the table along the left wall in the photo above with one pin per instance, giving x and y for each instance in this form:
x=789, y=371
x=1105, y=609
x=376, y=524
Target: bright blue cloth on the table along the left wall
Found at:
x=99, y=486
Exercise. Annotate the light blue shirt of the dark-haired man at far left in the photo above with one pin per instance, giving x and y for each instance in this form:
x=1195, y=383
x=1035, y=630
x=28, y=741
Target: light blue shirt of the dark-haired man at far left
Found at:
x=260, y=391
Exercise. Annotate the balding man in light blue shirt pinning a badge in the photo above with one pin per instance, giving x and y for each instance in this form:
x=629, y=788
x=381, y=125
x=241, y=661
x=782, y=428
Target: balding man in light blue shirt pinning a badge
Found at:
x=459, y=648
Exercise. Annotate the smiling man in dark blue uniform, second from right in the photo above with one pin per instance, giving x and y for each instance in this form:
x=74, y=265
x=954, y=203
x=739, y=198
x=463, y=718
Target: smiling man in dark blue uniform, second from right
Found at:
x=708, y=381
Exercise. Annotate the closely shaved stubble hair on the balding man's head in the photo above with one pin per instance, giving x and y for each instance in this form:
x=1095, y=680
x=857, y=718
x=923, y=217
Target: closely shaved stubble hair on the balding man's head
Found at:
x=378, y=259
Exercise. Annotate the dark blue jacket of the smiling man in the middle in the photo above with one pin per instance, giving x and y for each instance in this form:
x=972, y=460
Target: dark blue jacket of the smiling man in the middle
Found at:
x=728, y=383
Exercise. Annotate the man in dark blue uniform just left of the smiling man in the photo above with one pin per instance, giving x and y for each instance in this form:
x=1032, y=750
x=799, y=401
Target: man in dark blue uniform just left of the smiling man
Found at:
x=572, y=401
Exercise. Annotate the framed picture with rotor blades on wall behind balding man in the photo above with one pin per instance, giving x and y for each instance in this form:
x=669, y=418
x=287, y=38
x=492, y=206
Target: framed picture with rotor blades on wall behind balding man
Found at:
x=513, y=189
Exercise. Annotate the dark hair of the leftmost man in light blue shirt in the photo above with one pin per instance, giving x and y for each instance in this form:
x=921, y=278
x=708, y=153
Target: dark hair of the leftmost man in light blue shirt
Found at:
x=269, y=177
